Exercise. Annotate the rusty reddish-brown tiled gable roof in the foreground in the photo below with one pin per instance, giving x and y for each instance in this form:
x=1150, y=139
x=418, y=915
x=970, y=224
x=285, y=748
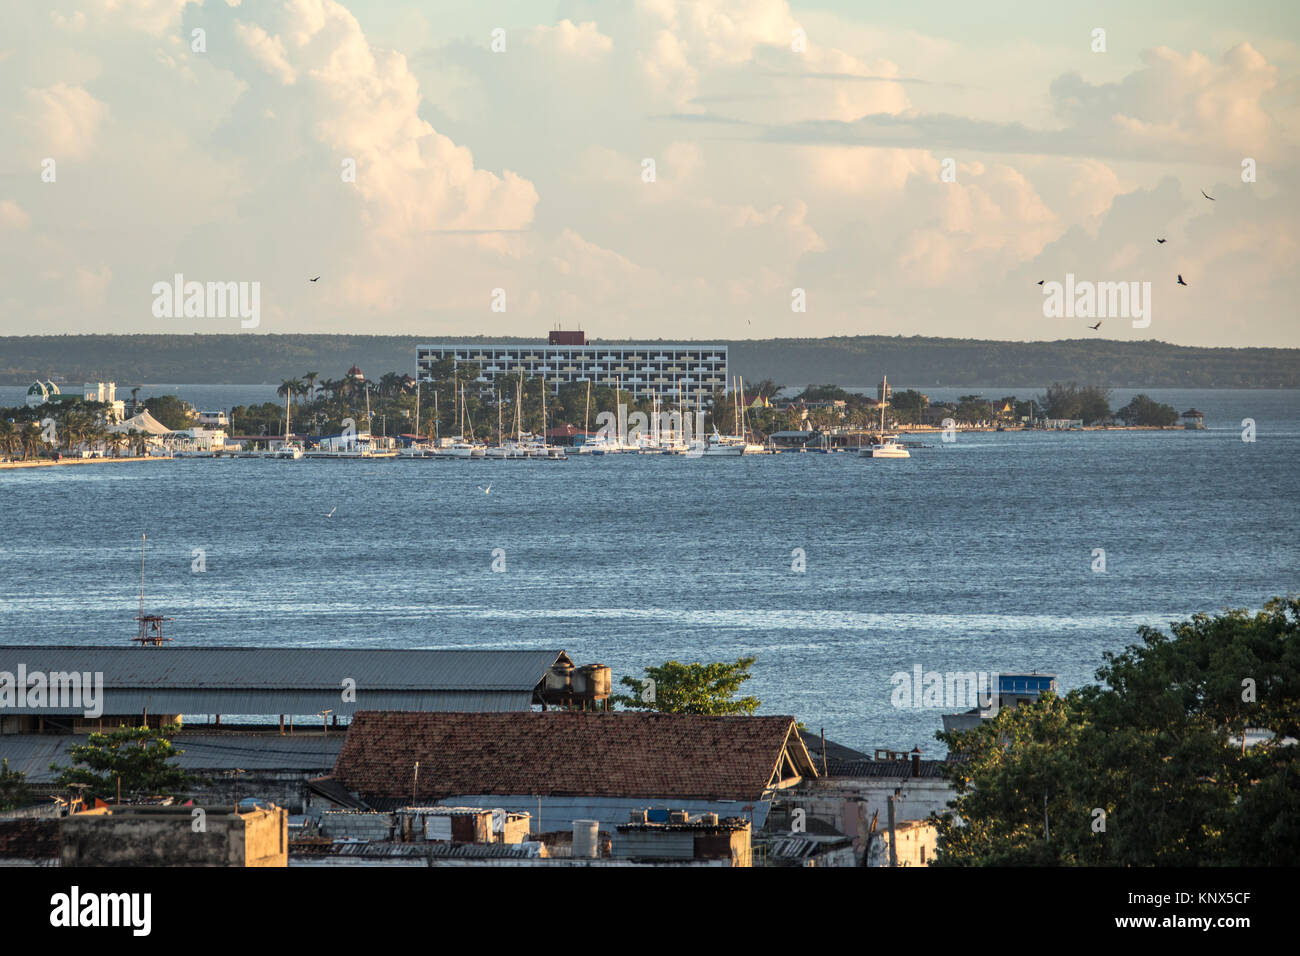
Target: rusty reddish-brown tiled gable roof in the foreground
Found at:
x=616, y=755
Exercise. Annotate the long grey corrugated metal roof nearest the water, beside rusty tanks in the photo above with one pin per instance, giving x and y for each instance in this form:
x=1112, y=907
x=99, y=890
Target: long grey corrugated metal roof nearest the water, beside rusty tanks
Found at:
x=289, y=681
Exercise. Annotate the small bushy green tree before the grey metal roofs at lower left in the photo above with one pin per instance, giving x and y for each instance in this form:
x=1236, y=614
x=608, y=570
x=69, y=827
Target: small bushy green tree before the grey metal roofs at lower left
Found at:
x=141, y=756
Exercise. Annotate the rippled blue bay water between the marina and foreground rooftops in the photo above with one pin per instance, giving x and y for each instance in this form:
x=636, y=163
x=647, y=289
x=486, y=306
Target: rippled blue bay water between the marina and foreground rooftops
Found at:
x=974, y=556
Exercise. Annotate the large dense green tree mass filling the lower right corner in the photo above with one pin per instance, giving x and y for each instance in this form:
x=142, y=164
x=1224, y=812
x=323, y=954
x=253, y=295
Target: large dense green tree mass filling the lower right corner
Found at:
x=1142, y=772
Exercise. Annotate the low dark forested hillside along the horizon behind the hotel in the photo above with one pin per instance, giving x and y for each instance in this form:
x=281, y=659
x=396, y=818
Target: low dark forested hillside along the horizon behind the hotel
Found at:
x=857, y=361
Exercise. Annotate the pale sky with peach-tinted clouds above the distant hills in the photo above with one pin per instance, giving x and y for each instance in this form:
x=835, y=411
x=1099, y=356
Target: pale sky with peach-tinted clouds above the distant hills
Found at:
x=712, y=170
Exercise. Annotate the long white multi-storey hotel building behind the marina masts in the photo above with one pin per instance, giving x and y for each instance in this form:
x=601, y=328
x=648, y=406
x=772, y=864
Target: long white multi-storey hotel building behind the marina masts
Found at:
x=683, y=373
